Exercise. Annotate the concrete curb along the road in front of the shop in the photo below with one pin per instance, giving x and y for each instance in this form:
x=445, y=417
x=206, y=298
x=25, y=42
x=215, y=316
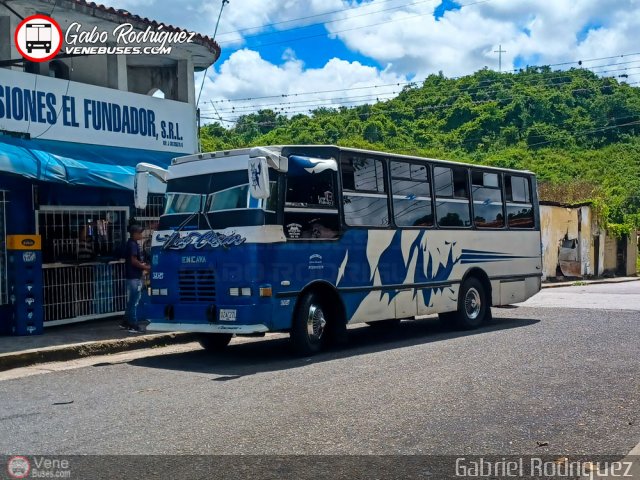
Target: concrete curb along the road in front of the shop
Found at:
x=74, y=351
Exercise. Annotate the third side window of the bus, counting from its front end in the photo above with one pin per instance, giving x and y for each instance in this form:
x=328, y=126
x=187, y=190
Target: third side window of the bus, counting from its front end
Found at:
x=411, y=195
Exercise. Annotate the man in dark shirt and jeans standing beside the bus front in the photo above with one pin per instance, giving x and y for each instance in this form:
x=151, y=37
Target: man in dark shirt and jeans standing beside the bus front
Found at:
x=134, y=269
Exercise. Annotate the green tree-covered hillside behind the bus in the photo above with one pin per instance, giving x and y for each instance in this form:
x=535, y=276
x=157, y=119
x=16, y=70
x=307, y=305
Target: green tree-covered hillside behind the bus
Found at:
x=579, y=132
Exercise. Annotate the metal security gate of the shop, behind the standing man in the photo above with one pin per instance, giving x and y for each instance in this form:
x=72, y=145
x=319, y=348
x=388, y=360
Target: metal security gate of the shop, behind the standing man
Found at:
x=83, y=278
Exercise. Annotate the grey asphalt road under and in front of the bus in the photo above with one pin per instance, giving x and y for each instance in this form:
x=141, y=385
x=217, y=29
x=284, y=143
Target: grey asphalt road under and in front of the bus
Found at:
x=539, y=379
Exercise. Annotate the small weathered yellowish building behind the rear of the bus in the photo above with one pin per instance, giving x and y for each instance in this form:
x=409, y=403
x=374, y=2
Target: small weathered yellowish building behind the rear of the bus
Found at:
x=574, y=245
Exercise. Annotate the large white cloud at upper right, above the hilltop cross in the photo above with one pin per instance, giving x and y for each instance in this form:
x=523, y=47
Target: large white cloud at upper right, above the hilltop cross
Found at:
x=464, y=40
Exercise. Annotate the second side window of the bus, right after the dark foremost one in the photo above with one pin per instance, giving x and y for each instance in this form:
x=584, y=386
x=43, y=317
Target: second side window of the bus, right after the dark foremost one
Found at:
x=364, y=196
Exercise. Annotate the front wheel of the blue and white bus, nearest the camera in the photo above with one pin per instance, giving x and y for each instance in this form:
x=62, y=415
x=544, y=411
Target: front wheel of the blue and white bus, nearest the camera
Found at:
x=309, y=329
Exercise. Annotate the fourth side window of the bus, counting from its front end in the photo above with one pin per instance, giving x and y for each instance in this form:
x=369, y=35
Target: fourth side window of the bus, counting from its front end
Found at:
x=452, y=196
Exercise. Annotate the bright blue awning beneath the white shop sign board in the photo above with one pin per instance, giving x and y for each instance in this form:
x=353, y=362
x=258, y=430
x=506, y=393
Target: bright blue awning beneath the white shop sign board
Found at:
x=76, y=163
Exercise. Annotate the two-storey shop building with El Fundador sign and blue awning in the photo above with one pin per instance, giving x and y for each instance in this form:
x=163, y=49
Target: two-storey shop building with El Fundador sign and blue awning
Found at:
x=72, y=129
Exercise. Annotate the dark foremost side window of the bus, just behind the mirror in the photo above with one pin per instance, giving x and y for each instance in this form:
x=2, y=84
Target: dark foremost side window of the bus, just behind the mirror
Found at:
x=311, y=211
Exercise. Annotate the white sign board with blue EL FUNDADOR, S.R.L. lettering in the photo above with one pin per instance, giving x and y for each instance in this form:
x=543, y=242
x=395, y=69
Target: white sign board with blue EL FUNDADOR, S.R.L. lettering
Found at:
x=54, y=109
